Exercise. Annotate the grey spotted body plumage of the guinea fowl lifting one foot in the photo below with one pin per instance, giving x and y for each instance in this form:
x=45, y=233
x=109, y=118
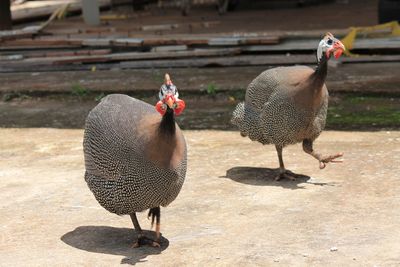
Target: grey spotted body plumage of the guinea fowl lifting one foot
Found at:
x=270, y=114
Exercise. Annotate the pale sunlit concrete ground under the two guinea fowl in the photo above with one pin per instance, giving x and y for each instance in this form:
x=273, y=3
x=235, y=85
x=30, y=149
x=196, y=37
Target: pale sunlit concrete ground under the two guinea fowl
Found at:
x=230, y=211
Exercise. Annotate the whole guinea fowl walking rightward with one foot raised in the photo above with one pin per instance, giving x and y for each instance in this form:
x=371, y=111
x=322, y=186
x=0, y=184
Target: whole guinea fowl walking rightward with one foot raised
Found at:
x=288, y=105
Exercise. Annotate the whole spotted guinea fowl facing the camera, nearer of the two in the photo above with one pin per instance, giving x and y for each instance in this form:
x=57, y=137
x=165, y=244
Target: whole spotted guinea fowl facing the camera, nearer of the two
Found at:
x=135, y=159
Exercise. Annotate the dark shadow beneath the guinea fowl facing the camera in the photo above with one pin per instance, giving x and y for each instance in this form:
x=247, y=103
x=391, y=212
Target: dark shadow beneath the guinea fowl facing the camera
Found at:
x=112, y=240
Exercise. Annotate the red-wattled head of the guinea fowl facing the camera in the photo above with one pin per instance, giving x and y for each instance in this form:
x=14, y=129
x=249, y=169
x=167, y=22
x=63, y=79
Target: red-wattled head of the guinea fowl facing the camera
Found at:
x=169, y=98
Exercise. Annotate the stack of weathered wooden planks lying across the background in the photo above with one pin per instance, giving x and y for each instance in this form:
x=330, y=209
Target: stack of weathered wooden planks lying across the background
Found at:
x=52, y=53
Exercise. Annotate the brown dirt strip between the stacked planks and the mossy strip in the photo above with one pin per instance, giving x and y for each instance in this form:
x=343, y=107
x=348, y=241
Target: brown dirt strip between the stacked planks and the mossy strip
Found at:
x=363, y=78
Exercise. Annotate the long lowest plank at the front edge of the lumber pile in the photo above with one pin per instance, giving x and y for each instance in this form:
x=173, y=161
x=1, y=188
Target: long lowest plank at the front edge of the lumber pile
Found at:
x=228, y=61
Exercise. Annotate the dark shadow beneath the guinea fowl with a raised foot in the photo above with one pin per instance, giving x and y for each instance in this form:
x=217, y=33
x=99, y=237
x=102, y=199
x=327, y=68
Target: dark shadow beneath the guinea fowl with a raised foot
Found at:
x=264, y=177
